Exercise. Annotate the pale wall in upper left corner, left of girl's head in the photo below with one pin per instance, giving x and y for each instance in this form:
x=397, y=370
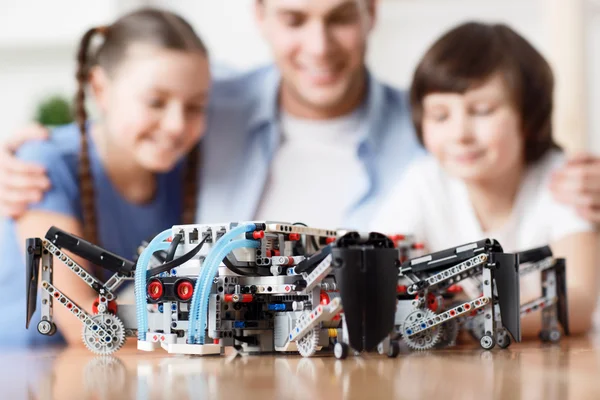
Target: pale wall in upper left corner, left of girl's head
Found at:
x=38, y=41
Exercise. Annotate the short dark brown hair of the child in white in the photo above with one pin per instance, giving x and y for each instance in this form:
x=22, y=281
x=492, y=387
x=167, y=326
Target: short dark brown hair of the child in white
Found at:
x=472, y=52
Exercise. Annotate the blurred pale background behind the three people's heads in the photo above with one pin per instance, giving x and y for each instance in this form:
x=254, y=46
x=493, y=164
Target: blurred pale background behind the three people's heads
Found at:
x=38, y=41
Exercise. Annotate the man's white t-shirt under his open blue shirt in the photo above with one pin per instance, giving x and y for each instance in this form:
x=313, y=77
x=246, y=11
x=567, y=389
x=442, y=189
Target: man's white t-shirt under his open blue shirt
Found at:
x=316, y=174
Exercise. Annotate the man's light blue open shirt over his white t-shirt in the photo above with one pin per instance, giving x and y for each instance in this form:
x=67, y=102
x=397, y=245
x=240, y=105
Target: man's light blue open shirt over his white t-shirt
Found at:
x=243, y=135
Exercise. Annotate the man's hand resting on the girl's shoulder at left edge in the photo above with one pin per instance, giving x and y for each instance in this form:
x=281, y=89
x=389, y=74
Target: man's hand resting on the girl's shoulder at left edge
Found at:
x=21, y=183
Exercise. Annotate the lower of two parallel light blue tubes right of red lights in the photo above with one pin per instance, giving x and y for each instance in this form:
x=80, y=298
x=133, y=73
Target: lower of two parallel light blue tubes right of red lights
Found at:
x=197, y=332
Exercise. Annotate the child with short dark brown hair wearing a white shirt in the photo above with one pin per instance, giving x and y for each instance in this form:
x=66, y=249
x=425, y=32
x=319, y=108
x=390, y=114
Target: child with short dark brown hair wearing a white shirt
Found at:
x=481, y=101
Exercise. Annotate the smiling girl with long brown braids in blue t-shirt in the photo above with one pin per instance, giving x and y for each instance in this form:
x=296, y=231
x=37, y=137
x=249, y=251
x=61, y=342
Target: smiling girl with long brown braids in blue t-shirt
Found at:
x=122, y=179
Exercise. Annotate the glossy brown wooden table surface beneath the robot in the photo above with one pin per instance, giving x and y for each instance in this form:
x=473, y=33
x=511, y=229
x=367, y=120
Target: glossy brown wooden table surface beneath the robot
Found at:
x=528, y=370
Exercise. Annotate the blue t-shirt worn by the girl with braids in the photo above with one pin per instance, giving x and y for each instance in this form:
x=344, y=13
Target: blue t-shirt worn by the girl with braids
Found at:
x=122, y=226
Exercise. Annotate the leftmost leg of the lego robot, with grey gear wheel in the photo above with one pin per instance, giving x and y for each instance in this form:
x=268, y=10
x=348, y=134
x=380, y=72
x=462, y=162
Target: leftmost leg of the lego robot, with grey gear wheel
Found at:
x=106, y=329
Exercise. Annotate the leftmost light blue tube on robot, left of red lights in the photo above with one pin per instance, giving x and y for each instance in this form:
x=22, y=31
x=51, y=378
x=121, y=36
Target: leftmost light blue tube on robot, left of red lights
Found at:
x=141, y=274
